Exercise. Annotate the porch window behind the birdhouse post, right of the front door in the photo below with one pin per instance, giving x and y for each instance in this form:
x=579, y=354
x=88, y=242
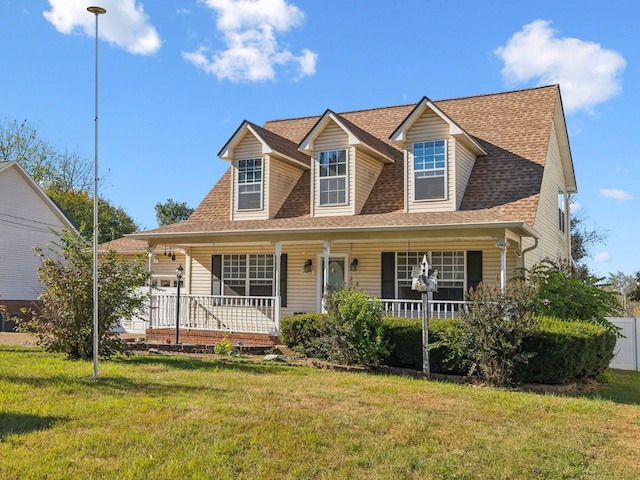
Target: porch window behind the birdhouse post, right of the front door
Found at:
x=450, y=266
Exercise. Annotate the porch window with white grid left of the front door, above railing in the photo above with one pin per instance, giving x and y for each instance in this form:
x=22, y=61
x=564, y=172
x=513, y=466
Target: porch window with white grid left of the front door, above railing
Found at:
x=248, y=275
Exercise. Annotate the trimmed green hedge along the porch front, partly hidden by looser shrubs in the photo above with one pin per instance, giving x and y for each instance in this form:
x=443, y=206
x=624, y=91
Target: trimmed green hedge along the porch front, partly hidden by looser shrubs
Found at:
x=565, y=350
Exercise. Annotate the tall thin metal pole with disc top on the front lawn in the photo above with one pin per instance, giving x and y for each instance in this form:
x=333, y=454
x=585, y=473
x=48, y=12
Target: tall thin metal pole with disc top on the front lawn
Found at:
x=96, y=11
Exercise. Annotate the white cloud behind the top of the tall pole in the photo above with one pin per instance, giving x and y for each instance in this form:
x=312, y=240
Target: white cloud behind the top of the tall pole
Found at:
x=125, y=24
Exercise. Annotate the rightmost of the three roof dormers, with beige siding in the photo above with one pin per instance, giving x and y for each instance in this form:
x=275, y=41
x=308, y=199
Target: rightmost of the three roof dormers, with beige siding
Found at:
x=439, y=157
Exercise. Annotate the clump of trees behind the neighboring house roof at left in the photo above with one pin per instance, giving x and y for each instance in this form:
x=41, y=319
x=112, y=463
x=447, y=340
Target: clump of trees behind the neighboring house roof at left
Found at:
x=66, y=177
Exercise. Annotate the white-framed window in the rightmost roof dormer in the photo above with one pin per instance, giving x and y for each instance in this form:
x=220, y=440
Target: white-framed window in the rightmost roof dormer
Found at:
x=429, y=167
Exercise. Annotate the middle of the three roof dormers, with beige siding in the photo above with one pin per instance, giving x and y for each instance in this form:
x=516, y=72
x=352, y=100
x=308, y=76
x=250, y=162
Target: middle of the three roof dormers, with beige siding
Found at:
x=345, y=164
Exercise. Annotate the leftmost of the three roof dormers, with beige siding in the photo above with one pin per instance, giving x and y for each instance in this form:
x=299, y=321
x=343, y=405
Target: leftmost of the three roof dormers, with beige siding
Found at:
x=265, y=169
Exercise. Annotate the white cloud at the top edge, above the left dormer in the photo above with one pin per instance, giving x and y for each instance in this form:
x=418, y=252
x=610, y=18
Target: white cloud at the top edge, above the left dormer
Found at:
x=249, y=29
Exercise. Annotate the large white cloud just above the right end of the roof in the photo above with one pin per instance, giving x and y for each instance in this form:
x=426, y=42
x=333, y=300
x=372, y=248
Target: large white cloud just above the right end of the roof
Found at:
x=588, y=74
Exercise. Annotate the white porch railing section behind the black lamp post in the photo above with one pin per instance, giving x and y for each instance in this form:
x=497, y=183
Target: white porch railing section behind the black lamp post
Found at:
x=217, y=313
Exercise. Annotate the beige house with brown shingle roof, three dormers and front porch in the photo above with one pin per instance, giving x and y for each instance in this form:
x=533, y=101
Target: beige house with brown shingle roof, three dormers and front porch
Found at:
x=480, y=184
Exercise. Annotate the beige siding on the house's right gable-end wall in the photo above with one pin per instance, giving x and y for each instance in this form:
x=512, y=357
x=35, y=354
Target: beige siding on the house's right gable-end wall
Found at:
x=553, y=243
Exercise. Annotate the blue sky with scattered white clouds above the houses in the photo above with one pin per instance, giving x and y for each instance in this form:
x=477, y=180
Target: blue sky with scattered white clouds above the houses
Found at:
x=177, y=78
